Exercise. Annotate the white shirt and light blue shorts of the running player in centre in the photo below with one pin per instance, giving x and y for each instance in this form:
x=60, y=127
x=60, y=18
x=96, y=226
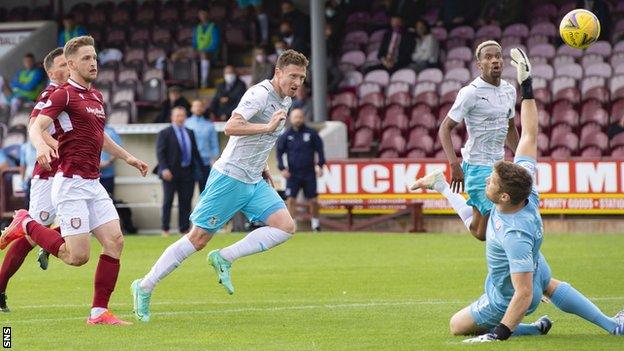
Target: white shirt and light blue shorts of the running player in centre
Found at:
x=235, y=183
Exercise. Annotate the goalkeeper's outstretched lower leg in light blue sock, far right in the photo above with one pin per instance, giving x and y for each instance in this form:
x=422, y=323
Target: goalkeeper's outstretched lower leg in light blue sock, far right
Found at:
x=570, y=300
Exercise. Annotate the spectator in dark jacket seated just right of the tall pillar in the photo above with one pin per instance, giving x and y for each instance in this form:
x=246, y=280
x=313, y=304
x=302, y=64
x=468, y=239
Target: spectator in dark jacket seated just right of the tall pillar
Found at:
x=396, y=47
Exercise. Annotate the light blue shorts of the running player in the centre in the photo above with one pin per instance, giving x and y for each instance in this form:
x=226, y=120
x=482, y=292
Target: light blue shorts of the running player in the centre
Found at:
x=224, y=196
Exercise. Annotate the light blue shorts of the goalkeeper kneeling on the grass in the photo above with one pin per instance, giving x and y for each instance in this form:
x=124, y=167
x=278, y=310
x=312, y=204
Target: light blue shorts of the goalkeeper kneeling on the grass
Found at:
x=488, y=314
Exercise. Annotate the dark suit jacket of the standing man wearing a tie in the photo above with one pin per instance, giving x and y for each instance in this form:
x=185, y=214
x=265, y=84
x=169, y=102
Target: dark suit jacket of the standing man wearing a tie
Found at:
x=169, y=154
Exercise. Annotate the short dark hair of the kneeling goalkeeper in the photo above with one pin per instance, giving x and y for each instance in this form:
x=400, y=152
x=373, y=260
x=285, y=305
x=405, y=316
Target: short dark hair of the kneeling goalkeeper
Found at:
x=514, y=180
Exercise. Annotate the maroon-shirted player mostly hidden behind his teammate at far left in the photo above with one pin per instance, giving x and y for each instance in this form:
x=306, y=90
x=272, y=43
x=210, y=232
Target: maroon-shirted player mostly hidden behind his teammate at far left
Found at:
x=41, y=208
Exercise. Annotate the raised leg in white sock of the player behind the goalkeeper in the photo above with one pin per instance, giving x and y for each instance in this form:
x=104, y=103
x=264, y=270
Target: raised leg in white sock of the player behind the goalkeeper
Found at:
x=435, y=181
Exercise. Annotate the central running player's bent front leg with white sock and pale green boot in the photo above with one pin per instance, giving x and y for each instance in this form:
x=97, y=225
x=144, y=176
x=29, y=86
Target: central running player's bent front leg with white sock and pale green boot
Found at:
x=264, y=204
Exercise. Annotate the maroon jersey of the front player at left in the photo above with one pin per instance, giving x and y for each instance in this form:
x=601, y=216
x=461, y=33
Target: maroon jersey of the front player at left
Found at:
x=80, y=114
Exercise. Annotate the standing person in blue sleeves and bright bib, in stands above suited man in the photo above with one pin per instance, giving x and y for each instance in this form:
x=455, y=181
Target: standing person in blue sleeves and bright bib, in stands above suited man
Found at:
x=206, y=41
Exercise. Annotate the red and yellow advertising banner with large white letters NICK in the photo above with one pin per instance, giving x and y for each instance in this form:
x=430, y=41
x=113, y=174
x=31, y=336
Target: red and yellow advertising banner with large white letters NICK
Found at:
x=381, y=186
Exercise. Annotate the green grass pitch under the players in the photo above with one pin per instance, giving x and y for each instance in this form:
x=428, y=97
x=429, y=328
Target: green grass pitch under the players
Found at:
x=316, y=292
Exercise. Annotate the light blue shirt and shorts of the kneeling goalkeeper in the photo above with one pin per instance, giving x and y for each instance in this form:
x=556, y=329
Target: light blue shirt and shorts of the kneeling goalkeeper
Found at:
x=513, y=243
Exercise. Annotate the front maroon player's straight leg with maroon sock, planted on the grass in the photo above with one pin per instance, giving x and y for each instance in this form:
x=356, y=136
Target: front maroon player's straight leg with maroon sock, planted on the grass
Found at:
x=104, y=224
